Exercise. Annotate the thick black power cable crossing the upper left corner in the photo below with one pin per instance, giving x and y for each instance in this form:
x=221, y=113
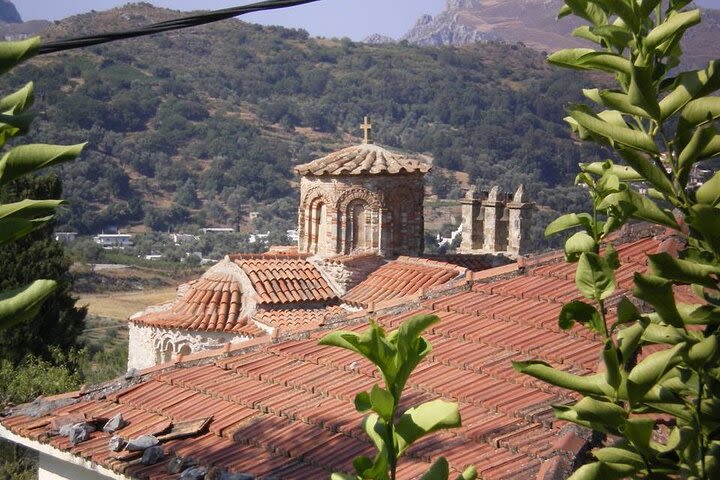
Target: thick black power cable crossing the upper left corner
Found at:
x=176, y=24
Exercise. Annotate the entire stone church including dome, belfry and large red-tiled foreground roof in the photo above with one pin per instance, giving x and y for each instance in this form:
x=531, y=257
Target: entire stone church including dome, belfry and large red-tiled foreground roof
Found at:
x=230, y=382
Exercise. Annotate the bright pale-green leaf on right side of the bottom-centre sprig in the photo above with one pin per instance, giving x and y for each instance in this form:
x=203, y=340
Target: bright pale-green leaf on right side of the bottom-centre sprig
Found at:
x=426, y=418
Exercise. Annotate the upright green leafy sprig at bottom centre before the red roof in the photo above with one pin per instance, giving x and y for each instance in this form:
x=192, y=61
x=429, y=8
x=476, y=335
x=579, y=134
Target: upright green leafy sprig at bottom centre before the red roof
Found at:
x=396, y=354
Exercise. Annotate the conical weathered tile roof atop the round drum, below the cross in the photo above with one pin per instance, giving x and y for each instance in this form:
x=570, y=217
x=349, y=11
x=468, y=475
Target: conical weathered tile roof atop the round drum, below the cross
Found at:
x=362, y=159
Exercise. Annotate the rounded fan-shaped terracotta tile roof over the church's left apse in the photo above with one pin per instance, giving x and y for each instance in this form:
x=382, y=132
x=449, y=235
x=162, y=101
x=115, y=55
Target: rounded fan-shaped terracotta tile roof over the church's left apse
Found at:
x=212, y=303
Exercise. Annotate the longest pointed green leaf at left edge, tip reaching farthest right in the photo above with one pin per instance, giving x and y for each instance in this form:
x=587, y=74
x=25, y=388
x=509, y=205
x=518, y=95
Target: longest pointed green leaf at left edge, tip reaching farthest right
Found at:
x=28, y=158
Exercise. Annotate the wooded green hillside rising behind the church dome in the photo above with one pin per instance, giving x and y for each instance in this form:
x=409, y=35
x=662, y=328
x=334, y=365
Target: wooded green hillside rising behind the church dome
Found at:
x=199, y=127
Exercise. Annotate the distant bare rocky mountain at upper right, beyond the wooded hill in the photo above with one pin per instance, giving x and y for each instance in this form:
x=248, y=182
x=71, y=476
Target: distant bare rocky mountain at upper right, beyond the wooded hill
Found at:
x=533, y=23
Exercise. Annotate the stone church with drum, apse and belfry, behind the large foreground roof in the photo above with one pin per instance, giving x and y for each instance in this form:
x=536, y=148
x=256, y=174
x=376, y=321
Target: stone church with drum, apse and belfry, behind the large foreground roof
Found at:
x=361, y=231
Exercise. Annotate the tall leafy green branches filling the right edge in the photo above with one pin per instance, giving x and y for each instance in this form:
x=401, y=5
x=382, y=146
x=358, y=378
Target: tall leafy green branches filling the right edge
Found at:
x=661, y=124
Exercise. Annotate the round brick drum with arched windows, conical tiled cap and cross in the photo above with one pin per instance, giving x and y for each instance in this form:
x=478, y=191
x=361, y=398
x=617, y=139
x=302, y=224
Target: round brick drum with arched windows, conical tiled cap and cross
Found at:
x=362, y=199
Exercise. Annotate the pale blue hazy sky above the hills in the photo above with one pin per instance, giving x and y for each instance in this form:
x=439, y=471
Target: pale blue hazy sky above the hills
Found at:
x=328, y=18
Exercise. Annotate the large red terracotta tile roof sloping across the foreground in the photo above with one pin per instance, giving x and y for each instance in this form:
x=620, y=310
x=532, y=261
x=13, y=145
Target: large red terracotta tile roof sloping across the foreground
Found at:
x=287, y=410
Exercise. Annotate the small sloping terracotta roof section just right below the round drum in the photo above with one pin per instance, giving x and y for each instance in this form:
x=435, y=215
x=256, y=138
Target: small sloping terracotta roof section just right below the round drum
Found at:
x=402, y=277
